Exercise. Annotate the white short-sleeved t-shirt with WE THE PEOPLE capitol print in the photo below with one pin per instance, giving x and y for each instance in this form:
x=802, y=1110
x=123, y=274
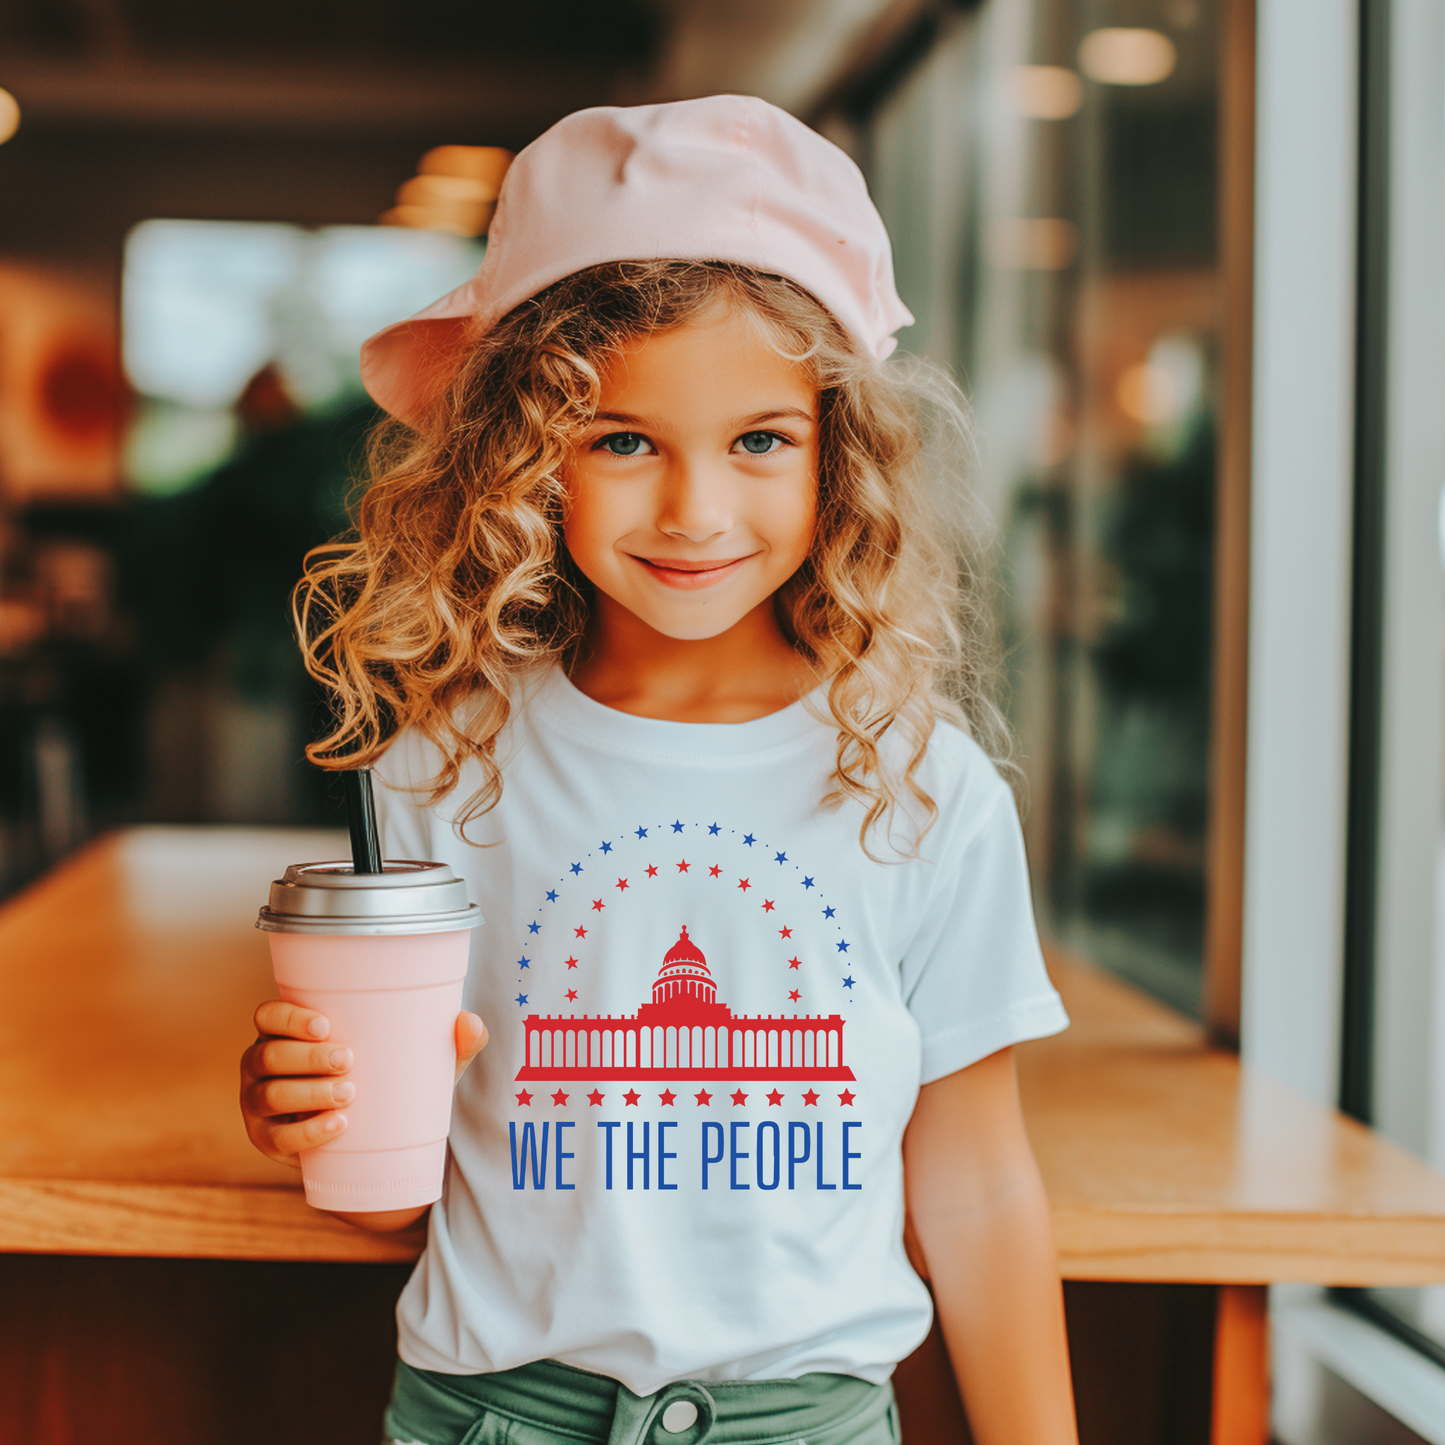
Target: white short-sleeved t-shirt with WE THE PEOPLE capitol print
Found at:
x=710, y=1017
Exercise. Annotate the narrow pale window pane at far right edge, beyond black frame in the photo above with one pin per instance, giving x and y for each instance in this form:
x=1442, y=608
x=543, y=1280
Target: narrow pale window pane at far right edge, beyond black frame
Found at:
x=1394, y=1045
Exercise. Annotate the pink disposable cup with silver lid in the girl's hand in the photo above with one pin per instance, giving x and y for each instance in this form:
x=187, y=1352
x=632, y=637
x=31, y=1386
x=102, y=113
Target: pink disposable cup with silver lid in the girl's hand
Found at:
x=384, y=956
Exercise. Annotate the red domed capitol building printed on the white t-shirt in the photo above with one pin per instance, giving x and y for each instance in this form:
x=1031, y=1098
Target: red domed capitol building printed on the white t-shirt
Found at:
x=684, y=1034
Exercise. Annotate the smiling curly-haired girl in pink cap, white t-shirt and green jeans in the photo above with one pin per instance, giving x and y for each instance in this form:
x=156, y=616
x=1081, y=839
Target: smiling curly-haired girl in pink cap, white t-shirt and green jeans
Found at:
x=645, y=626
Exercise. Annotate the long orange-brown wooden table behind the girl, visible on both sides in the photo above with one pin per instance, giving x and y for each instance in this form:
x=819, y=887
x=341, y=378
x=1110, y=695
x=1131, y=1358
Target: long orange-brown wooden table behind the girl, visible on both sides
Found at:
x=128, y=979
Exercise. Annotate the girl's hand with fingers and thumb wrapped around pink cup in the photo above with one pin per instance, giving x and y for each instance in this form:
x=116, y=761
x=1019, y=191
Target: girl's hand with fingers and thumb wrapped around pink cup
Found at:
x=294, y=1079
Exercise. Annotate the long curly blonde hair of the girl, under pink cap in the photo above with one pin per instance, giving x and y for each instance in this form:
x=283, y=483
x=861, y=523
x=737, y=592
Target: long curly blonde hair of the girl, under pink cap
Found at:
x=456, y=580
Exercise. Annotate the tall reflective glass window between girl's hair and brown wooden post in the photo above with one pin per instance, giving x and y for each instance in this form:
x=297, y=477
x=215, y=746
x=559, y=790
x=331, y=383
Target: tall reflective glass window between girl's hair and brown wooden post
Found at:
x=1051, y=183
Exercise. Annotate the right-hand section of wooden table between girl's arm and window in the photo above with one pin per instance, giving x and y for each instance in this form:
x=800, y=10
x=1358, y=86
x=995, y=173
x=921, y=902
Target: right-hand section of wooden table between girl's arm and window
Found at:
x=1165, y=1161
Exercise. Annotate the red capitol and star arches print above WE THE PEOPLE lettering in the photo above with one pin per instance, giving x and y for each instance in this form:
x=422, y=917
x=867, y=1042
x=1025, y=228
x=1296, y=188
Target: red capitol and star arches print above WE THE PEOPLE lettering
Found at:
x=658, y=876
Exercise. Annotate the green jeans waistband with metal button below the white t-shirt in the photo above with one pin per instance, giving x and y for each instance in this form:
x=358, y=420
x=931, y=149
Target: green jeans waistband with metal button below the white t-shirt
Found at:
x=550, y=1404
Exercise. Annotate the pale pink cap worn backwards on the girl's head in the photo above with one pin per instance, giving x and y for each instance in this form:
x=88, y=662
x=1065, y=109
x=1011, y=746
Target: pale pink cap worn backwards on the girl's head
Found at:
x=728, y=178
